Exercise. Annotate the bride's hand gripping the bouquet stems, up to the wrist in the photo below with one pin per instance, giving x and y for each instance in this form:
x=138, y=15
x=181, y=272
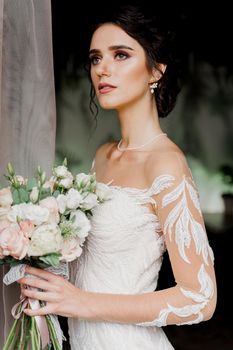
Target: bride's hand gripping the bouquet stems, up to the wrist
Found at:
x=61, y=297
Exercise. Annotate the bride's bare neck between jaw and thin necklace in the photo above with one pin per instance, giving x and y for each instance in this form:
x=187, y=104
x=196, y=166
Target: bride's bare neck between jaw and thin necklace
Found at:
x=138, y=124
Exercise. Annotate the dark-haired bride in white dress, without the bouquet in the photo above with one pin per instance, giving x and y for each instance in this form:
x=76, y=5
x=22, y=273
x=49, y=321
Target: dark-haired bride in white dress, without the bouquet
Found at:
x=112, y=302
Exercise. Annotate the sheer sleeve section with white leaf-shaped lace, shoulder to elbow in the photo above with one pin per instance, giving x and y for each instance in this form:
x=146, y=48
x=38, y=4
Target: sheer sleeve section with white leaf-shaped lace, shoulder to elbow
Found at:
x=176, y=199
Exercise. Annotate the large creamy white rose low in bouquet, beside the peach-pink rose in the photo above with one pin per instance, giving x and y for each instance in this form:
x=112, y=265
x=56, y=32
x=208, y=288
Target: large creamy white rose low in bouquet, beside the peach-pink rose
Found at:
x=45, y=239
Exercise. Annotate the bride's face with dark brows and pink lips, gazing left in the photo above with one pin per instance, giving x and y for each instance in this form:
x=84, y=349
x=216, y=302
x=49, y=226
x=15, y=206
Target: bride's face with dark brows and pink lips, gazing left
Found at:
x=118, y=68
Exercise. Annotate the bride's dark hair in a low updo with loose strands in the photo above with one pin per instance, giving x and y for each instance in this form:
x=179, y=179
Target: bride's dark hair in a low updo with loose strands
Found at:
x=159, y=46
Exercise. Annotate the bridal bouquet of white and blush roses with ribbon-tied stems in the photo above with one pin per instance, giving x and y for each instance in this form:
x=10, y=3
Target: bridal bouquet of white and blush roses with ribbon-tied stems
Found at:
x=43, y=223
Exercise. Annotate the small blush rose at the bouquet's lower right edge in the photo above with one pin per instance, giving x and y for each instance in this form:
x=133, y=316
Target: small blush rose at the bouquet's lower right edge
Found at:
x=71, y=249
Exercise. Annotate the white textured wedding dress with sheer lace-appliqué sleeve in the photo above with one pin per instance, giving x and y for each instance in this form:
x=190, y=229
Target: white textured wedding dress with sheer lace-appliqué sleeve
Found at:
x=123, y=254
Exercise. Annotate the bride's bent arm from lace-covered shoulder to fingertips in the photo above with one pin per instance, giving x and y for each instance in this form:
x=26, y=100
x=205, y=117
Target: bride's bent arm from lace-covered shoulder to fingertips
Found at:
x=192, y=300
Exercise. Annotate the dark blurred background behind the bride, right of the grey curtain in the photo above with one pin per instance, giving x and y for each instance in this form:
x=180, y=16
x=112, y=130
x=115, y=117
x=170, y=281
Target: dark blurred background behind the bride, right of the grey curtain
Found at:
x=201, y=124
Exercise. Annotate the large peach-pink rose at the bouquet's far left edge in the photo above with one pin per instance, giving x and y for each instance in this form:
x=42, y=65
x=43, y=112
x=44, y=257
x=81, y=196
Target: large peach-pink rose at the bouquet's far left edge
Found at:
x=13, y=242
